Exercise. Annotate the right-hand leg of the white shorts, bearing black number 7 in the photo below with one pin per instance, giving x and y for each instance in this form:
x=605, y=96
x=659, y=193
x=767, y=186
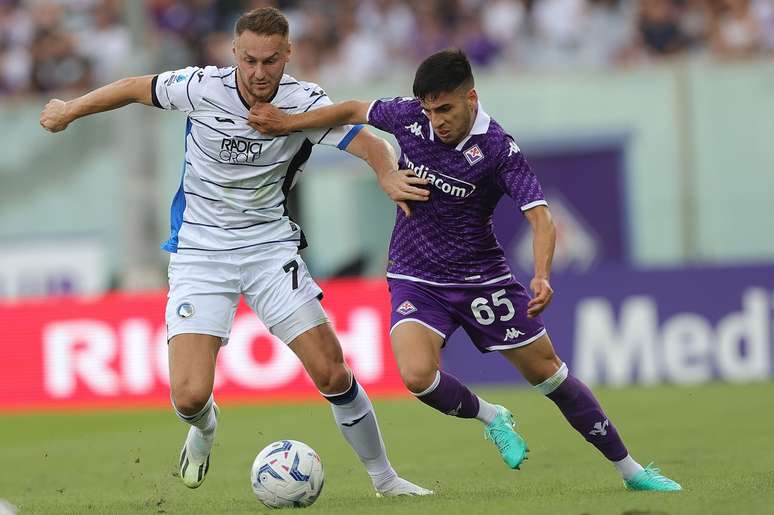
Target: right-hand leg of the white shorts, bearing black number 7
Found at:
x=276, y=282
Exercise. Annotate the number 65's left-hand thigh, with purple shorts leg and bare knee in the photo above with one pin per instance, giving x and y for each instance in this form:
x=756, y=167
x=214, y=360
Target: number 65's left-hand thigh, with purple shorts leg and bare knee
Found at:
x=419, y=326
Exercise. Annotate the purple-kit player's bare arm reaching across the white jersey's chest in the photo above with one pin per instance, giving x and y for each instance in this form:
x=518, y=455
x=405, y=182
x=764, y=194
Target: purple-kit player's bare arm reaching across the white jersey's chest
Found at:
x=267, y=119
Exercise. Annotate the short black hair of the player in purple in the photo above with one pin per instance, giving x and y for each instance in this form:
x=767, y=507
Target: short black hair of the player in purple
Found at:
x=442, y=72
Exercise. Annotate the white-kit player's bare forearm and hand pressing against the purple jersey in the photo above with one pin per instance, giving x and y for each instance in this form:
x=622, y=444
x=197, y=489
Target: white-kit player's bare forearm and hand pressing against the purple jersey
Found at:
x=399, y=185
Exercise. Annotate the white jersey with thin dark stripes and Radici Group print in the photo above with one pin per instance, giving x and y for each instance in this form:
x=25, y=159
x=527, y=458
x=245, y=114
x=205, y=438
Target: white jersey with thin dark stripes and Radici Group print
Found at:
x=235, y=182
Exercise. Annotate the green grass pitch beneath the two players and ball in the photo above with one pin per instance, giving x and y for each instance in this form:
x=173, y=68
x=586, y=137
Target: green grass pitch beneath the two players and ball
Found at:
x=716, y=440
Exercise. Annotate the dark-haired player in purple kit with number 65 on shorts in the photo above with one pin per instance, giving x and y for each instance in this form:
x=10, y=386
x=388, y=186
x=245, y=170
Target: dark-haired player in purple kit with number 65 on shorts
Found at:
x=446, y=268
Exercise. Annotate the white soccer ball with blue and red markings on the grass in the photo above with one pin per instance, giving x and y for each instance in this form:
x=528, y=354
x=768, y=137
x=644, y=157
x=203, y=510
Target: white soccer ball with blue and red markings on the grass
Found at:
x=286, y=474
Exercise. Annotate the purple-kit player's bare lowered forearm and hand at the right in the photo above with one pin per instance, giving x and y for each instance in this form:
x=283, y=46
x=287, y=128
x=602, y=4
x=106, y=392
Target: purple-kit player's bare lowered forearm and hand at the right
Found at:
x=543, y=244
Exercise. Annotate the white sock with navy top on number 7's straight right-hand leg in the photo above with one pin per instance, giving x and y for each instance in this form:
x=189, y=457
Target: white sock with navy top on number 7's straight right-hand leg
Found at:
x=356, y=419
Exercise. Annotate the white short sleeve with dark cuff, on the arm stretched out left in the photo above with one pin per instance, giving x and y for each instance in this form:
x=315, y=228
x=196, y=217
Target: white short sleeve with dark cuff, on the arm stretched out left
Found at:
x=180, y=90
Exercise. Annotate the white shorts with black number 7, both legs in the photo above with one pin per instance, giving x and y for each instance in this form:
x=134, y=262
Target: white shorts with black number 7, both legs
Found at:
x=204, y=290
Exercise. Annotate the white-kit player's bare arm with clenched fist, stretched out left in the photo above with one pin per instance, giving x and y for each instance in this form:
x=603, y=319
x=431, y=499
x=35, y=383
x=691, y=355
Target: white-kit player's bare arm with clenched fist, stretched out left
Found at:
x=58, y=114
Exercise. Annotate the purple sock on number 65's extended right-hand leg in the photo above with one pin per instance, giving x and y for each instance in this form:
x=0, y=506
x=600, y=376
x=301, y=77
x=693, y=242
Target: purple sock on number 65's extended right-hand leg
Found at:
x=583, y=412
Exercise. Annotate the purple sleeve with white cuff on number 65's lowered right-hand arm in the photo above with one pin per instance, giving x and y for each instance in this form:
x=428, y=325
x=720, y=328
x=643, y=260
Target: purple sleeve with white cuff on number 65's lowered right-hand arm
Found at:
x=517, y=179
